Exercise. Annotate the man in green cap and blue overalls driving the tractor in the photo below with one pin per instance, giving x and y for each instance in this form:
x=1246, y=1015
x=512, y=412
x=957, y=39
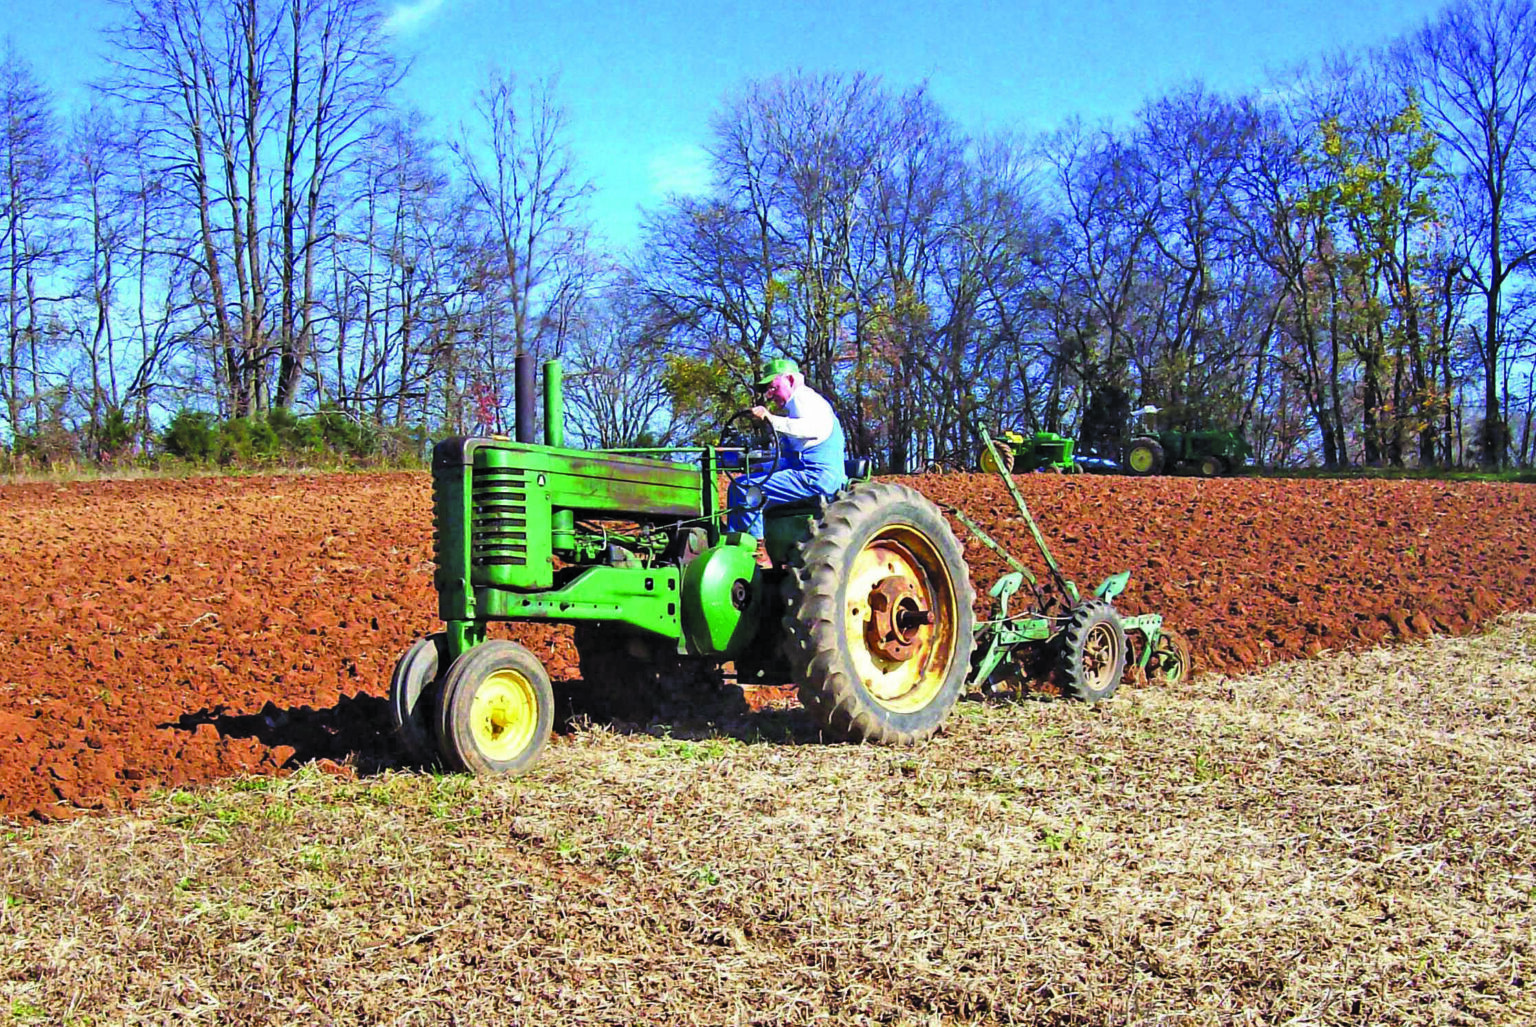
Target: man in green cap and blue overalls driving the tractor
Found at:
x=812, y=447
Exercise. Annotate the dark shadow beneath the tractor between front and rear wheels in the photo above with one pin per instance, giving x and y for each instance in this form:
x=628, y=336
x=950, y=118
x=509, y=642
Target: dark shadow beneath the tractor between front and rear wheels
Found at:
x=709, y=715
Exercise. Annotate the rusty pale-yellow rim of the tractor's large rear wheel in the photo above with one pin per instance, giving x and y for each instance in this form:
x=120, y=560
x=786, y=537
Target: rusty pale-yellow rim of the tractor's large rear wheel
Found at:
x=902, y=561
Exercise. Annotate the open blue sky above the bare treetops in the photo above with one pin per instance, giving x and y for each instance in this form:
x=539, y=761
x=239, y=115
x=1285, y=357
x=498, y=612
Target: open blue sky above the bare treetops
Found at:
x=641, y=79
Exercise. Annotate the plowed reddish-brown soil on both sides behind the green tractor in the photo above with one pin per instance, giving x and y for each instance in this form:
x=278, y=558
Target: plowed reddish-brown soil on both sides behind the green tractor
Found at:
x=164, y=633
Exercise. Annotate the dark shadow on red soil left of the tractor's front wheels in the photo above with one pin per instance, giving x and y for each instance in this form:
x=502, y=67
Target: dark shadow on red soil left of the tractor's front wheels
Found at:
x=357, y=731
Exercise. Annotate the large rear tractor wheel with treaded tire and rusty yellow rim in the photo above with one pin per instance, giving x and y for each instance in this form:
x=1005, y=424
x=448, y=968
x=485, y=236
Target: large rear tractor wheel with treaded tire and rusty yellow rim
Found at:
x=879, y=626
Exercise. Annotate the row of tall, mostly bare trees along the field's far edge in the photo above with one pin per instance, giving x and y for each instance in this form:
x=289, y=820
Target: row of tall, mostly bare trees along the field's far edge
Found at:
x=248, y=220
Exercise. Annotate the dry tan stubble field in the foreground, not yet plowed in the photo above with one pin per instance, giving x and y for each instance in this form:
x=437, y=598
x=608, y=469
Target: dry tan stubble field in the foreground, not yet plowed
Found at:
x=1346, y=840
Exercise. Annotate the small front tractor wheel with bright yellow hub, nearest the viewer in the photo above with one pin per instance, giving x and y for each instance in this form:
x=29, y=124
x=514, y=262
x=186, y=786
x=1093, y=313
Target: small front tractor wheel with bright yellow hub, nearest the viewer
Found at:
x=495, y=710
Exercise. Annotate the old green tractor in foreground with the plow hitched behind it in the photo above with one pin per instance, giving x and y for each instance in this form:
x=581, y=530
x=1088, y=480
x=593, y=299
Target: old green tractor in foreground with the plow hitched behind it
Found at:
x=867, y=606
